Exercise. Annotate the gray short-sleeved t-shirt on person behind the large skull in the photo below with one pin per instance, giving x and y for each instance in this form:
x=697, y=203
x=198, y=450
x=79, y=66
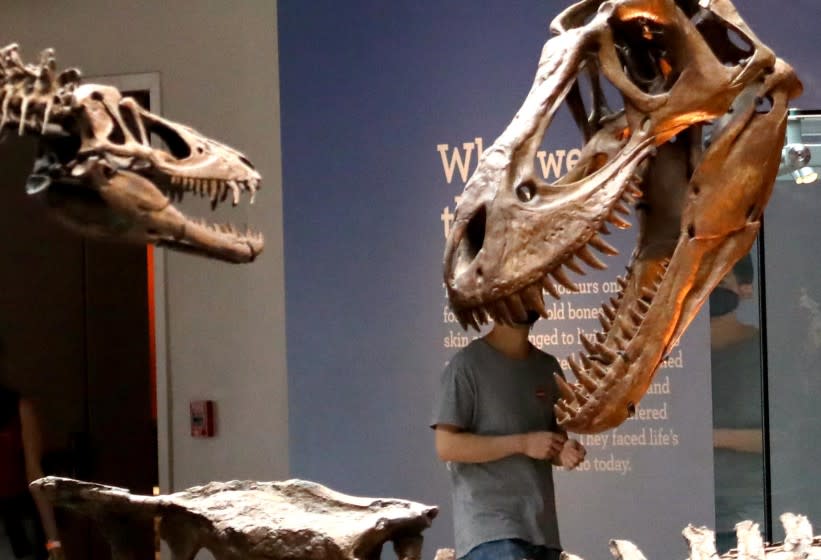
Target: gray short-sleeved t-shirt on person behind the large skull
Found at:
x=487, y=393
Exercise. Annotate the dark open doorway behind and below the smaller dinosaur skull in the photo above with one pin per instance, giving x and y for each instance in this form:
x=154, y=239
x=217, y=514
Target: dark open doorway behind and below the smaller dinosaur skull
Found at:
x=77, y=319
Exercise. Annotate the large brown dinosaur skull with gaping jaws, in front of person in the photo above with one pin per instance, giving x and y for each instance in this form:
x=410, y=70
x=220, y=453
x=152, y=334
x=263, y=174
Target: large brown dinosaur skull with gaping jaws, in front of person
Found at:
x=695, y=150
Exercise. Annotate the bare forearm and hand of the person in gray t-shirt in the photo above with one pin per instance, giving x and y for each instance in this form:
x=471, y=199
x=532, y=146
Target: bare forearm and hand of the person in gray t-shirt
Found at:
x=458, y=446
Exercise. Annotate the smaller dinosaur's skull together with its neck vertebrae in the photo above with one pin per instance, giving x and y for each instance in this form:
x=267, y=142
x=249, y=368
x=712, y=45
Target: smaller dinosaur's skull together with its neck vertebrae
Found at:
x=99, y=173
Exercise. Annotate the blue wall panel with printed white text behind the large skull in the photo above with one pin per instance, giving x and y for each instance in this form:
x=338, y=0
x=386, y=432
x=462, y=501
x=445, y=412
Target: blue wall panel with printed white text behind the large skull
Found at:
x=370, y=93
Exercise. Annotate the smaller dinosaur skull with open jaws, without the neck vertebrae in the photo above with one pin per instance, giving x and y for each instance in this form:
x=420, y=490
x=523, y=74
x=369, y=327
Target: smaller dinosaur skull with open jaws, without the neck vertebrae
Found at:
x=108, y=181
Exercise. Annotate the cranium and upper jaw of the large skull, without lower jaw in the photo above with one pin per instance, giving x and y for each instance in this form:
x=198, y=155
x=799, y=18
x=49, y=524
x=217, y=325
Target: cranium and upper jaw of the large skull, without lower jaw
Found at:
x=685, y=92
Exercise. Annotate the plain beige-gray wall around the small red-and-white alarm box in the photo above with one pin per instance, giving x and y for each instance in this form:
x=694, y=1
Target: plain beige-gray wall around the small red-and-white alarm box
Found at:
x=225, y=323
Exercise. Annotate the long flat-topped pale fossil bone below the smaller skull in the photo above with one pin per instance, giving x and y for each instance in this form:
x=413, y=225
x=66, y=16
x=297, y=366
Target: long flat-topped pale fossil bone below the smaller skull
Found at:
x=247, y=520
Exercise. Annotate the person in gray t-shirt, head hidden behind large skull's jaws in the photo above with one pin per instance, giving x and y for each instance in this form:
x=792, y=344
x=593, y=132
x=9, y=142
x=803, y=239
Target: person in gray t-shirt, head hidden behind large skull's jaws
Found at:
x=496, y=430
